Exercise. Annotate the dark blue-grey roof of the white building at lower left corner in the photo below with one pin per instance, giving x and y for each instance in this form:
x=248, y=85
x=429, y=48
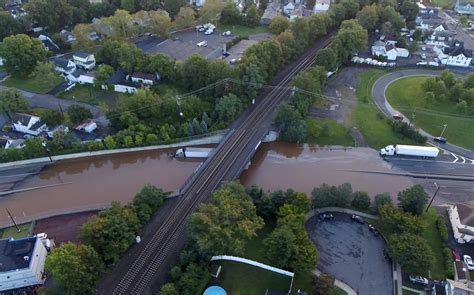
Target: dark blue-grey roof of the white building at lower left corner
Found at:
x=16, y=254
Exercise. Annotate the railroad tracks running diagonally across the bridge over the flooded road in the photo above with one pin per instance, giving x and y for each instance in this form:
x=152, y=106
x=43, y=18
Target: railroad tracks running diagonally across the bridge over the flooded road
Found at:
x=219, y=167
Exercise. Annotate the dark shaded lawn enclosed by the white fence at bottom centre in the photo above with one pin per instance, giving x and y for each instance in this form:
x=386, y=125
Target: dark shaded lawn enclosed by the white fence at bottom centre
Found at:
x=243, y=279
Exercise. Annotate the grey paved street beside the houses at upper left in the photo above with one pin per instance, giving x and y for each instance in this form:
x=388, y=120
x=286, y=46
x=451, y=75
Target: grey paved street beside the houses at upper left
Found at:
x=53, y=103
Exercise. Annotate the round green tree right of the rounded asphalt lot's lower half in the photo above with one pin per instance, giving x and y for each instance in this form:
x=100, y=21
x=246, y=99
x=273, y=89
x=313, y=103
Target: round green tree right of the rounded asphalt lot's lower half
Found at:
x=412, y=252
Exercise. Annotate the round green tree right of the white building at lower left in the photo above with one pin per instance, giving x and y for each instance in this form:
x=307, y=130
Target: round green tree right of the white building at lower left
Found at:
x=76, y=268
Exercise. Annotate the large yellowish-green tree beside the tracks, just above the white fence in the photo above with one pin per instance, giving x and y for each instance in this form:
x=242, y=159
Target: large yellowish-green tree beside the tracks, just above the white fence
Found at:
x=226, y=224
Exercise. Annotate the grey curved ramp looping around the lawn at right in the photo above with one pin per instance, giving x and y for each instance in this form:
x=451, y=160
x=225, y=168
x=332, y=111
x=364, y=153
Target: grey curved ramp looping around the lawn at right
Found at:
x=378, y=92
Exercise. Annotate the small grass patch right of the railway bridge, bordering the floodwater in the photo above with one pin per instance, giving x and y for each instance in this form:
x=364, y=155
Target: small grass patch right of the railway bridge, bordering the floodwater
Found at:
x=328, y=132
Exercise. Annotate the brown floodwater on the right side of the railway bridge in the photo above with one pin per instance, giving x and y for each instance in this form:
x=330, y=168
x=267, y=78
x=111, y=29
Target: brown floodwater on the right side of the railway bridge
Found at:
x=282, y=166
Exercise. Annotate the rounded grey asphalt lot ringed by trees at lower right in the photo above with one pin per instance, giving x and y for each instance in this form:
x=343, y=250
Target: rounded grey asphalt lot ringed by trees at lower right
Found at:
x=352, y=254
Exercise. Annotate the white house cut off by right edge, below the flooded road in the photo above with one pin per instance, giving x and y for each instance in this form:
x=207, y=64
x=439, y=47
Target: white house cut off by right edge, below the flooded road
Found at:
x=461, y=217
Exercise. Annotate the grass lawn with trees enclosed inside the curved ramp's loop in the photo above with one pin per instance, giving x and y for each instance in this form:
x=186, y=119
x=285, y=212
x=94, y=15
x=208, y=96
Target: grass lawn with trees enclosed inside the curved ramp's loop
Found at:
x=406, y=95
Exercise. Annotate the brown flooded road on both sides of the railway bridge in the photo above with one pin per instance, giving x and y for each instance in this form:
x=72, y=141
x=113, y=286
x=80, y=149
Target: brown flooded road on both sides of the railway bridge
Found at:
x=96, y=181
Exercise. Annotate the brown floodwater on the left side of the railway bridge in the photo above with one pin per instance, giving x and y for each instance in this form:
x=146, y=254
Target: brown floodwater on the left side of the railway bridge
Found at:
x=96, y=181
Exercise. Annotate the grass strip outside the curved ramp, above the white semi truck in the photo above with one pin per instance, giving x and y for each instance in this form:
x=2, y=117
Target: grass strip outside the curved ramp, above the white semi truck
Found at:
x=368, y=118
